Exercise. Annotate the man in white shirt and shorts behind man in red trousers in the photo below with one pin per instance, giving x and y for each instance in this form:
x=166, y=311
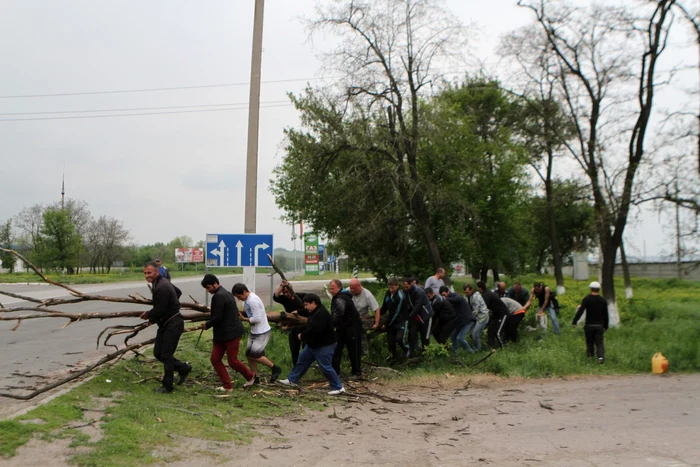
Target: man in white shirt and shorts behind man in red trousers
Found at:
x=259, y=332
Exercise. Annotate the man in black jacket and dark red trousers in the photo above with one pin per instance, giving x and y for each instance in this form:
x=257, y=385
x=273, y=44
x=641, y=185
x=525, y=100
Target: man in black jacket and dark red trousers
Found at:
x=228, y=330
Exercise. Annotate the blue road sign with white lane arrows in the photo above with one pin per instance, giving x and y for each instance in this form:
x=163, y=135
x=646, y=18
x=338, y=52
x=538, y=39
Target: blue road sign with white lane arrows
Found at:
x=239, y=250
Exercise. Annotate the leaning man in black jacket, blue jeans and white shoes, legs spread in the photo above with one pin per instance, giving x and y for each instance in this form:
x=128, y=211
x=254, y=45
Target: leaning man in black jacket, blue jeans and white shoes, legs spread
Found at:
x=319, y=337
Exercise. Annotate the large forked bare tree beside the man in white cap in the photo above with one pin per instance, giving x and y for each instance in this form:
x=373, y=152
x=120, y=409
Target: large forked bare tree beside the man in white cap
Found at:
x=599, y=49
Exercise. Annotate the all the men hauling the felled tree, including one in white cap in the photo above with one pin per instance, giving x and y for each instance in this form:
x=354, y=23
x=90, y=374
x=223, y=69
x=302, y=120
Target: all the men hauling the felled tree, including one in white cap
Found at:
x=409, y=314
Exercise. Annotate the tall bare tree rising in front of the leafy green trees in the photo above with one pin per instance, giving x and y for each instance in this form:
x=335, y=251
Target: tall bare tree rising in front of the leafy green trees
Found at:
x=389, y=52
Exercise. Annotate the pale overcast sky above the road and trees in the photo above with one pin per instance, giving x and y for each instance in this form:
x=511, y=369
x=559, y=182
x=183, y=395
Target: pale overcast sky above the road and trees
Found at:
x=170, y=174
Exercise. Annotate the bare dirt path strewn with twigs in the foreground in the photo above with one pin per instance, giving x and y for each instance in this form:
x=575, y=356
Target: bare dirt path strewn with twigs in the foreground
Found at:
x=623, y=421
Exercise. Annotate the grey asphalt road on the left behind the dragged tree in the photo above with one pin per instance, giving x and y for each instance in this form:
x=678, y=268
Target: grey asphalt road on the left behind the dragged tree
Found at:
x=44, y=347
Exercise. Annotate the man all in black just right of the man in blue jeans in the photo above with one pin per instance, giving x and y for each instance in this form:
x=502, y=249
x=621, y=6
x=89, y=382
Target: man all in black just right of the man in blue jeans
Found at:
x=348, y=327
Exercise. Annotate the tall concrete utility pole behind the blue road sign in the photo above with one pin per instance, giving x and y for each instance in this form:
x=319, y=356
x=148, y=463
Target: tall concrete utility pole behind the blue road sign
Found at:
x=251, y=183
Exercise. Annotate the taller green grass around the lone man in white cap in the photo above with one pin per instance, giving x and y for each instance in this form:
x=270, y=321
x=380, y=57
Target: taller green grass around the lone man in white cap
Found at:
x=663, y=316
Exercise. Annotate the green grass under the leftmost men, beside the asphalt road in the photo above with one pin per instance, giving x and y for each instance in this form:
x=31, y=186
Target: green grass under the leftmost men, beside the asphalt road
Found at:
x=141, y=421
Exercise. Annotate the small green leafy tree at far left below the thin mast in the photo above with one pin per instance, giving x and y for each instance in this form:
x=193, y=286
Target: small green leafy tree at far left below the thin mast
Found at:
x=58, y=241
